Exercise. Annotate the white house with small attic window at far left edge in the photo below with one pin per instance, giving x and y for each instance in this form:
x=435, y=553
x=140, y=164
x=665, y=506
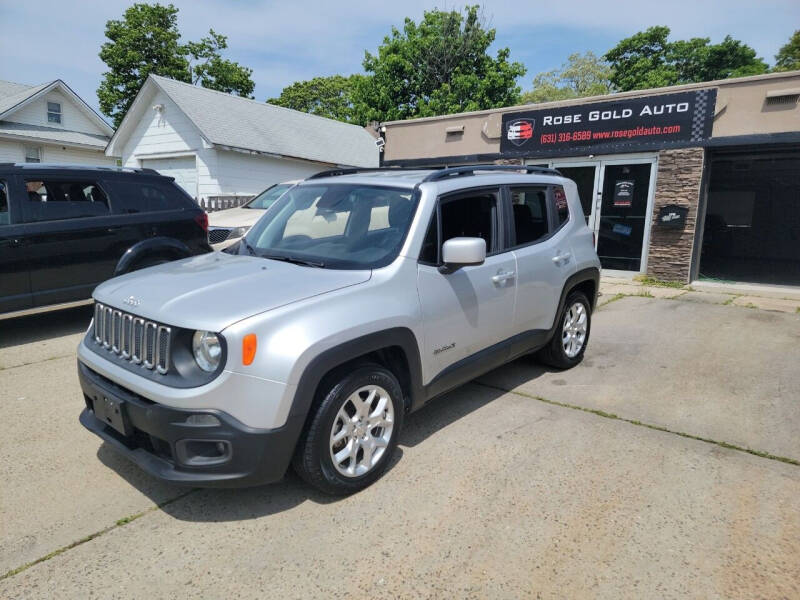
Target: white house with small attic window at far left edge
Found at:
x=50, y=123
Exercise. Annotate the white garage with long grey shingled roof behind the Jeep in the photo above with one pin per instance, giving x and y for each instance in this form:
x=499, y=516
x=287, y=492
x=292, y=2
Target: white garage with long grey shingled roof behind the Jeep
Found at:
x=220, y=146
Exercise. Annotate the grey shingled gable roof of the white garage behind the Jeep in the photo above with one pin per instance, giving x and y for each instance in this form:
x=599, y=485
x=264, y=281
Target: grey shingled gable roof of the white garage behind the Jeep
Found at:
x=244, y=124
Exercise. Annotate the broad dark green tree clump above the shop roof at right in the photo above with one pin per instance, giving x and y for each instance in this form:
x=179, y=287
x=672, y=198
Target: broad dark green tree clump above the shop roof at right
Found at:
x=648, y=59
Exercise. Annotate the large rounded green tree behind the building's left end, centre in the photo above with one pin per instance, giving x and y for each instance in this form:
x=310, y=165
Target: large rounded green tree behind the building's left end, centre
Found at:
x=436, y=67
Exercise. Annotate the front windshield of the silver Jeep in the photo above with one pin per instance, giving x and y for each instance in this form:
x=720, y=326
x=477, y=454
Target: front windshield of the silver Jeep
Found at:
x=340, y=226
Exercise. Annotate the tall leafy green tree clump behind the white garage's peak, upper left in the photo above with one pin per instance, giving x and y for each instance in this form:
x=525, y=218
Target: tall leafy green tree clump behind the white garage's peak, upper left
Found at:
x=147, y=40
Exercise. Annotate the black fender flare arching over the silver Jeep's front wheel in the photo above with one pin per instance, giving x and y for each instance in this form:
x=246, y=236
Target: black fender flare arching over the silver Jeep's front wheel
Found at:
x=328, y=360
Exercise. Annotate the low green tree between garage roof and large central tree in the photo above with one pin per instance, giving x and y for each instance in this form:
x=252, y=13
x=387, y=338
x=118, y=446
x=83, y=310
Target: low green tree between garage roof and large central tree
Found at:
x=330, y=97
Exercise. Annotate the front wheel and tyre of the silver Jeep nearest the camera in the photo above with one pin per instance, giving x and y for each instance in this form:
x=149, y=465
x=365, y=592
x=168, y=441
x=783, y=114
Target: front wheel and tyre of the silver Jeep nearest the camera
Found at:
x=353, y=433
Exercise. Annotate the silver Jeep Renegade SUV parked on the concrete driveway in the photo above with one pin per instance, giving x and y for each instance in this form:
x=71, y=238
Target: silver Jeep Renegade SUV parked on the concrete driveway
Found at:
x=356, y=298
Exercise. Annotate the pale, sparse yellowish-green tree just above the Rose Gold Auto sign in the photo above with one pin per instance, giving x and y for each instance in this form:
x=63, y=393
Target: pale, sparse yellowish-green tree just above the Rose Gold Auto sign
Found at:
x=582, y=75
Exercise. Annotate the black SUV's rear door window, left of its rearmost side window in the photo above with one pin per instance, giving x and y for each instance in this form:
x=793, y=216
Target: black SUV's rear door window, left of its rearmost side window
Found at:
x=58, y=200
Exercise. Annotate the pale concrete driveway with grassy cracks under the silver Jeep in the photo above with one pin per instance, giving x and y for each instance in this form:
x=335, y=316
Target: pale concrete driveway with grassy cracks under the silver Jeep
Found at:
x=527, y=483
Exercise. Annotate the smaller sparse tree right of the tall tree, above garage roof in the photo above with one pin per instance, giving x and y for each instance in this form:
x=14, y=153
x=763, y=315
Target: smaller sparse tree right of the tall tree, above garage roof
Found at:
x=212, y=71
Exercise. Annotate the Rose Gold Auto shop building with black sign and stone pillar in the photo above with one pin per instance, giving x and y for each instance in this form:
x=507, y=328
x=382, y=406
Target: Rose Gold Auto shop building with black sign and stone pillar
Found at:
x=698, y=181
